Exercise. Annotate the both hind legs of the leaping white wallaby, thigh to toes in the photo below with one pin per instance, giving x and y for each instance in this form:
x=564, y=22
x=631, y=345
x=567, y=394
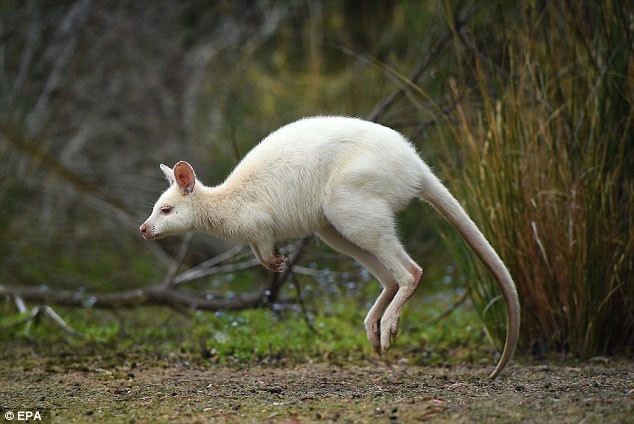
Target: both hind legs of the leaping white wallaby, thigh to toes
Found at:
x=368, y=226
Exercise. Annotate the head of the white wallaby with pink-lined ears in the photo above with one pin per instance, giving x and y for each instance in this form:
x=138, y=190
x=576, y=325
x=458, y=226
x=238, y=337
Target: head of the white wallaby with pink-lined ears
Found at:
x=173, y=212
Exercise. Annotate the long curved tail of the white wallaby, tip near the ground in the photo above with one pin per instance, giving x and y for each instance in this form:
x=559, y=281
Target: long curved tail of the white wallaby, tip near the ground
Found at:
x=436, y=194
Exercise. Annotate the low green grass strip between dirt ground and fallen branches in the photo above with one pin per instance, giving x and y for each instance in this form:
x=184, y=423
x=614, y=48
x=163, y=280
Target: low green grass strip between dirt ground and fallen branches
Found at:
x=256, y=336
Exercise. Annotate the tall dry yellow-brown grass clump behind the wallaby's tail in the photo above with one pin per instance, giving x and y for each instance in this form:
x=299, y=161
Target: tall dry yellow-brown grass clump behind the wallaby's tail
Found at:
x=545, y=142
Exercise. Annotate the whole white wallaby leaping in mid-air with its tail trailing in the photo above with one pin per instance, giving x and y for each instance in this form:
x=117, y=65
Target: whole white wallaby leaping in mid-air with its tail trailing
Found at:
x=342, y=179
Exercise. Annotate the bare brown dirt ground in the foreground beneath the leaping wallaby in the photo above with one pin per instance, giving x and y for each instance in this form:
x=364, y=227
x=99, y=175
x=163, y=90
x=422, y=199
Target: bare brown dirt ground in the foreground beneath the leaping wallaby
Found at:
x=176, y=391
